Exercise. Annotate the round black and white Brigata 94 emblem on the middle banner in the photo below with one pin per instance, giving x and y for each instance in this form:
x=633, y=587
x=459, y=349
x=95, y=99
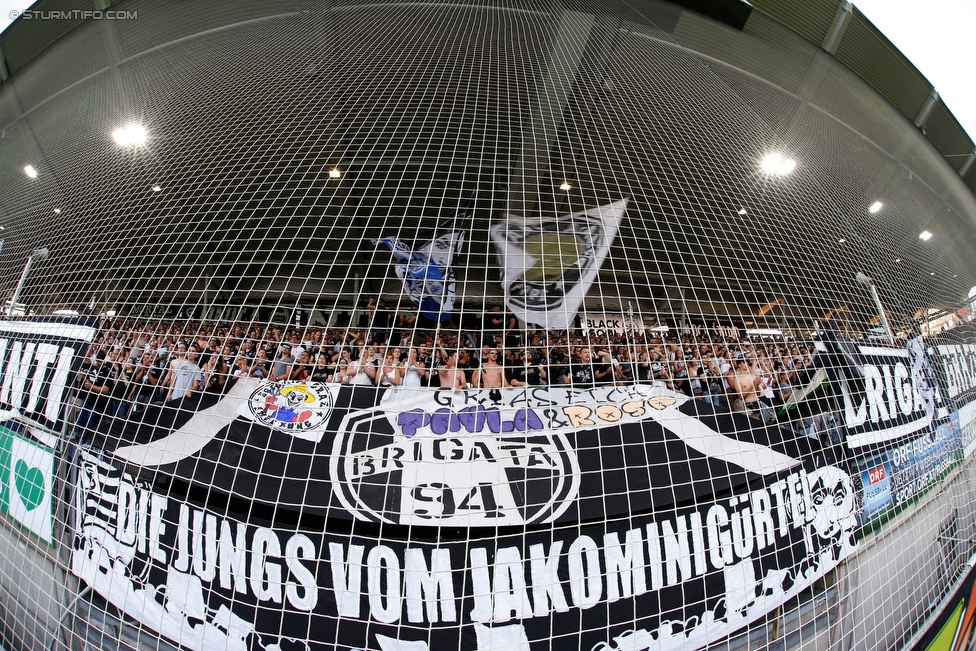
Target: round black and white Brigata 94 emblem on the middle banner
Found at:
x=462, y=480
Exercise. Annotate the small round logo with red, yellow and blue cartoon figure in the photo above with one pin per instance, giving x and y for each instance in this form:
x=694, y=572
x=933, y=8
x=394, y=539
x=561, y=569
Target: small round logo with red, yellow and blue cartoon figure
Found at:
x=291, y=406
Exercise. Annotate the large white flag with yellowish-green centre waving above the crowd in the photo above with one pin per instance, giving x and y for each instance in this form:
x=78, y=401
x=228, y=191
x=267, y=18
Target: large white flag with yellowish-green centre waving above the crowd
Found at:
x=549, y=263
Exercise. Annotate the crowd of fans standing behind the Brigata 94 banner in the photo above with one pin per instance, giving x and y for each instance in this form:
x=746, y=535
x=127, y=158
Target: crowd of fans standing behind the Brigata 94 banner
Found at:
x=132, y=364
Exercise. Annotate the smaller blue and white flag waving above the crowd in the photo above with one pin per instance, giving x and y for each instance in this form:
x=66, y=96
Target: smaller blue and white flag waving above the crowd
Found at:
x=426, y=273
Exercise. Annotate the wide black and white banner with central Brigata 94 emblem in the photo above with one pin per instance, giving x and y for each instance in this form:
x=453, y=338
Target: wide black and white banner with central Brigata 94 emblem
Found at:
x=468, y=458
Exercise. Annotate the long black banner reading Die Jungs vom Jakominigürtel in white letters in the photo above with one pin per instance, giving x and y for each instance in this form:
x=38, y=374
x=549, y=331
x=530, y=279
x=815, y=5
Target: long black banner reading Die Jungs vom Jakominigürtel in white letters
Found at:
x=676, y=579
